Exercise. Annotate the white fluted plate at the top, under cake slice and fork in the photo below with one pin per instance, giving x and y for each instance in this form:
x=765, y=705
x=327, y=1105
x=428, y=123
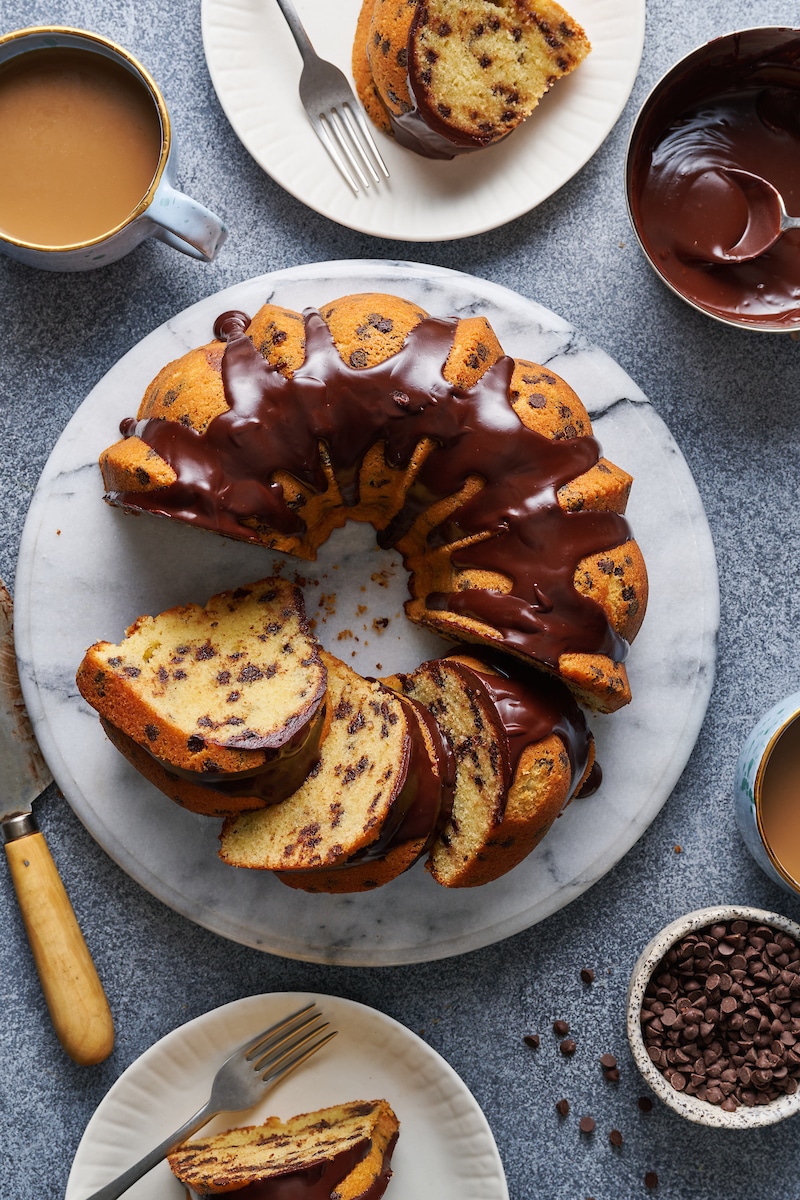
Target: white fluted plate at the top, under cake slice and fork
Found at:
x=255, y=68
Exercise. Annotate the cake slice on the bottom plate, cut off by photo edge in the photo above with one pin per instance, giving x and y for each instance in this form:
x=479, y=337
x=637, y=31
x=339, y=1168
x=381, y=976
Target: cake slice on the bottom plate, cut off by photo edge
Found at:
x=336, y=1154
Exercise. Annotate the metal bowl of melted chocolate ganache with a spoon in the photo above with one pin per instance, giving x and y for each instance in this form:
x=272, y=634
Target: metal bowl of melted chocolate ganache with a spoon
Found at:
x=729, y=111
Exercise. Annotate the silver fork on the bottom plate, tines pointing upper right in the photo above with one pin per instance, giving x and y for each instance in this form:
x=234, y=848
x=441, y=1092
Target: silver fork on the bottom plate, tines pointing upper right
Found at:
x=242, y=1082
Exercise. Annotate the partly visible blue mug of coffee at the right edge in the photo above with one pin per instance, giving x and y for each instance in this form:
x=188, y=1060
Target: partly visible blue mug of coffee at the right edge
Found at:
x=767, y=794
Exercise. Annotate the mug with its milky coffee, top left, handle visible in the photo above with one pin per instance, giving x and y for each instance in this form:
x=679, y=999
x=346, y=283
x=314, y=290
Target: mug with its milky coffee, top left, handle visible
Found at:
x=58, y=214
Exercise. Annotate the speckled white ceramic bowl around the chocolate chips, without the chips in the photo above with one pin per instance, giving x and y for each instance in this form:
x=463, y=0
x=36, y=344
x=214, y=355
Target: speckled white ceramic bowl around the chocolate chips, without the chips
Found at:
x=691, y=1107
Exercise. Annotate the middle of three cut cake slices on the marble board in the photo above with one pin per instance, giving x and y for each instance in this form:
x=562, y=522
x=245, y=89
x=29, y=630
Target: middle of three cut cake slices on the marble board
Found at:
x=372, y=796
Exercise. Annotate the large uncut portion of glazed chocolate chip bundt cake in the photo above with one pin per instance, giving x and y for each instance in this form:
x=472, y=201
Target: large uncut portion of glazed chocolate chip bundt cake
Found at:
x=479, y=469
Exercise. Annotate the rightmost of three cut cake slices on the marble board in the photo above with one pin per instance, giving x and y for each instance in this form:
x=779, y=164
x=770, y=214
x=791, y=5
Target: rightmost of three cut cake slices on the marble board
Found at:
x=522, y=752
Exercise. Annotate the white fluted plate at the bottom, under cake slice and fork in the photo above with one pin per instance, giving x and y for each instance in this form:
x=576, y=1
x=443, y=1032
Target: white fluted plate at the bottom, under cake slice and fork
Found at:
x=446, y=1148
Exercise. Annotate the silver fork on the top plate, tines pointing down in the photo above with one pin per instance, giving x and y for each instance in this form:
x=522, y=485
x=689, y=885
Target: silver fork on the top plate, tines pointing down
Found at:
x=334, y=111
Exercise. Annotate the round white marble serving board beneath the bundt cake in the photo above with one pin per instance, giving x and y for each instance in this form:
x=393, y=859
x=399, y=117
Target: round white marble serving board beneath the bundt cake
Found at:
x=107, y=568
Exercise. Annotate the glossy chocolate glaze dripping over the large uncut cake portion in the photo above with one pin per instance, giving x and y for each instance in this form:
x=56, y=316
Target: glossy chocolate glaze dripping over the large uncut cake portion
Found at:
x=226, y=475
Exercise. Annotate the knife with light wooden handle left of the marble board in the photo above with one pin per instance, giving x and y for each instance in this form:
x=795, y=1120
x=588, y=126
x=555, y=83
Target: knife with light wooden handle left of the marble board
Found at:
x=70, y=982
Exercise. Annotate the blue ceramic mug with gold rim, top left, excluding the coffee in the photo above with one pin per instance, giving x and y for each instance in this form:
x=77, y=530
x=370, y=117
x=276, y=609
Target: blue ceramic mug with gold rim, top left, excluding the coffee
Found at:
x=163, y=212
